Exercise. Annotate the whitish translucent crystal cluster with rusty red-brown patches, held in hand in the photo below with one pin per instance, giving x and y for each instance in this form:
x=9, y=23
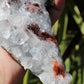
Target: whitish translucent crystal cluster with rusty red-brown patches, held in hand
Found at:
x=26, y=33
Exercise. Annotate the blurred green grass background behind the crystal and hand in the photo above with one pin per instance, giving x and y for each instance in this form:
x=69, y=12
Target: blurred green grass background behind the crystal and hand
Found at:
x=69, y=31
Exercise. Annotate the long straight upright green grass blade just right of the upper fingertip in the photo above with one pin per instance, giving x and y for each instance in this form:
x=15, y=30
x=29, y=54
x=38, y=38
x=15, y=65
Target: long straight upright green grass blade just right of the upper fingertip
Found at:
x=63, y=22
